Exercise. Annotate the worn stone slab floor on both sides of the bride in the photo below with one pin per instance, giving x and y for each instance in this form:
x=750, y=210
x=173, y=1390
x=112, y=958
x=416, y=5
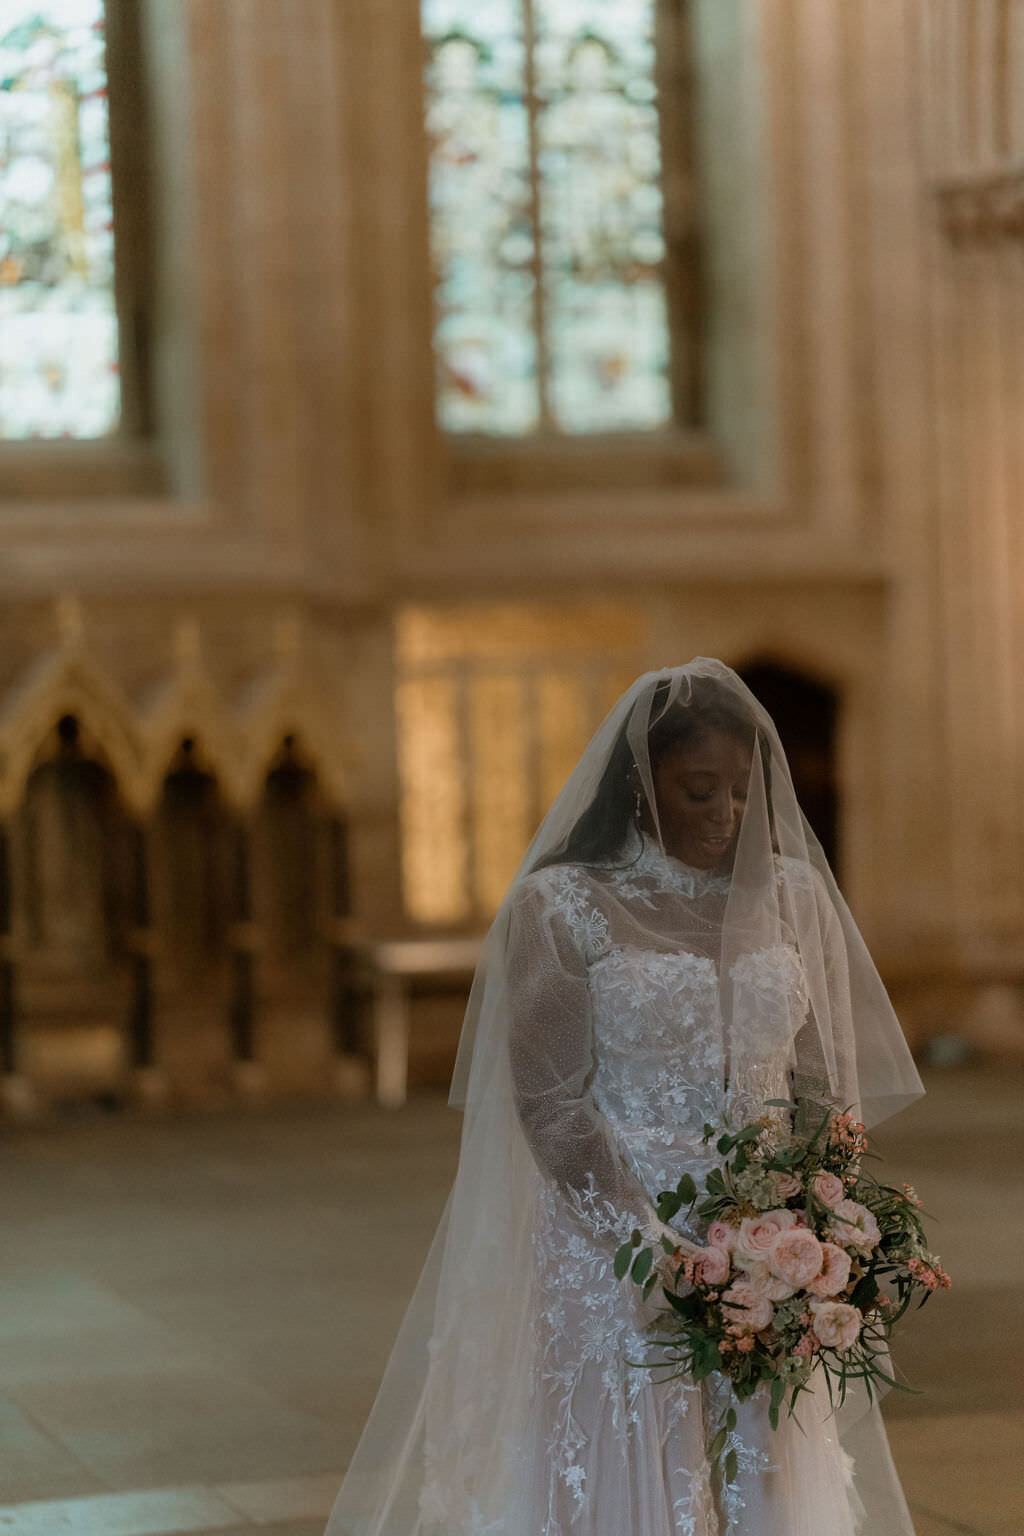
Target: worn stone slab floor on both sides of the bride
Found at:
x=194, y=1311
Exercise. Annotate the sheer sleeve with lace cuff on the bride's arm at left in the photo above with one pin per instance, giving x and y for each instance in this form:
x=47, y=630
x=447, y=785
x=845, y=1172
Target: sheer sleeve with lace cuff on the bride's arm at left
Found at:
x=553, y=1064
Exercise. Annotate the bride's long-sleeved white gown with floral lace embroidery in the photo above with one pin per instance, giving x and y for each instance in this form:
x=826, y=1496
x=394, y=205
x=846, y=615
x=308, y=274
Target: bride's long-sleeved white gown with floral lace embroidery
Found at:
x=619, y=1058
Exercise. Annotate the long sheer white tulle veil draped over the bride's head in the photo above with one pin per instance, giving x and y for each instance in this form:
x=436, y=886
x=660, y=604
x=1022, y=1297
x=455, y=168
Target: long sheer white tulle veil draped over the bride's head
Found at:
x=457, y=1394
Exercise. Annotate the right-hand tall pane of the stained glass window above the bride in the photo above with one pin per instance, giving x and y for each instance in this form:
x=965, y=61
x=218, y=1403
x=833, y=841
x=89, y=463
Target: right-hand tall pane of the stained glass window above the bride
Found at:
x=601, y=202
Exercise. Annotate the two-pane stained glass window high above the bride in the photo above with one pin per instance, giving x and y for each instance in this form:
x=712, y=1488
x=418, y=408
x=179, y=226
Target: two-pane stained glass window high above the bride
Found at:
x=547, y=216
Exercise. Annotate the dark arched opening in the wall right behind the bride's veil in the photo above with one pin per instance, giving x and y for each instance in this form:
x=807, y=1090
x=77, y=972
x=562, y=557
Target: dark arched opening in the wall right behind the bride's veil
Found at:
x=805, y=706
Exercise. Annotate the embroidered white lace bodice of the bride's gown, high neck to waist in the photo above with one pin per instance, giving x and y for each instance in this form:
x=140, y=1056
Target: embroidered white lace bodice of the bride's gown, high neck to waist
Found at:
x=644, y=939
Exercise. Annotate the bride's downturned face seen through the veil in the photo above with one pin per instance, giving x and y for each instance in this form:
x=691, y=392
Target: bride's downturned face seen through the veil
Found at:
x=701, y=792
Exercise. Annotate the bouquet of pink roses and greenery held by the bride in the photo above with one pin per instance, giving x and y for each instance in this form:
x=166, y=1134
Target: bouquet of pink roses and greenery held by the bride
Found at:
x=810, y=1262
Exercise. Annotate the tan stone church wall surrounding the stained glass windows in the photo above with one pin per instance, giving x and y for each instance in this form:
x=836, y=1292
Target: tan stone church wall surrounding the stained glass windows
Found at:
x=848, y=506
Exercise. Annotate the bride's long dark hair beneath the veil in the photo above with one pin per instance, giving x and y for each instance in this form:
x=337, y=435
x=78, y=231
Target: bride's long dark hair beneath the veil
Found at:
x=601, y=832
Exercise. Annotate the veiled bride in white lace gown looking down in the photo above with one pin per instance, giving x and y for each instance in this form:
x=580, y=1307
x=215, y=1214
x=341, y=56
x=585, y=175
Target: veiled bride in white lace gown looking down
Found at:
x=673, y=952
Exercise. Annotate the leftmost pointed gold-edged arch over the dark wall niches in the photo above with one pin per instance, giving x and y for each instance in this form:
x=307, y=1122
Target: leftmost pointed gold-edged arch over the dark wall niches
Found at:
x=71, y=687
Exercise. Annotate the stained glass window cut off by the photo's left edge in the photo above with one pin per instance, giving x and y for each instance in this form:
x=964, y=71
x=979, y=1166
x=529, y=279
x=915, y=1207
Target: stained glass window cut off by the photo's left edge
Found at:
x=59, y=345
